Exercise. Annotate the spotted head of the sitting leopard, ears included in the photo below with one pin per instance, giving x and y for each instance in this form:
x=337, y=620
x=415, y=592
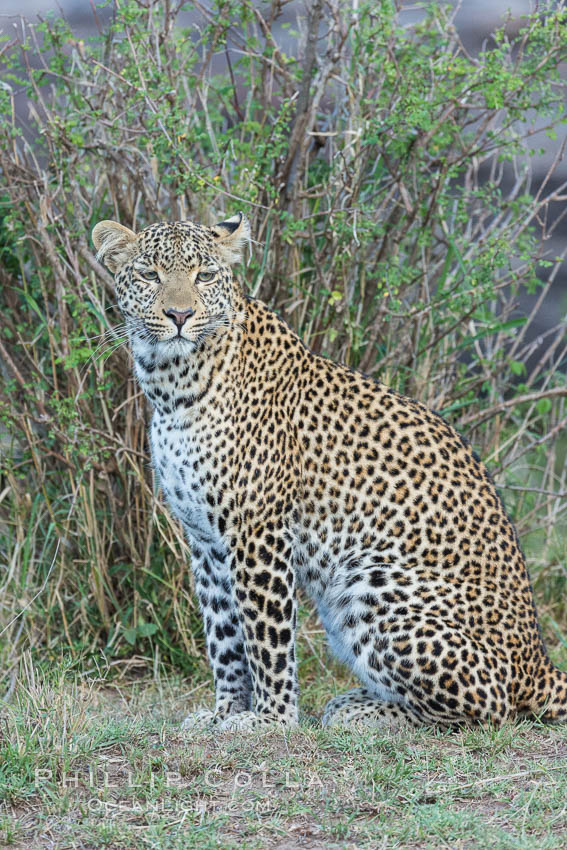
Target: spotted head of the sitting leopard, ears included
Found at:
x=174, y=281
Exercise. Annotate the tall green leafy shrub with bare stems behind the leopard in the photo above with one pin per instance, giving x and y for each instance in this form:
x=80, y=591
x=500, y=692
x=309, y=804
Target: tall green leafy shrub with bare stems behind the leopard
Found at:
x=387, y=176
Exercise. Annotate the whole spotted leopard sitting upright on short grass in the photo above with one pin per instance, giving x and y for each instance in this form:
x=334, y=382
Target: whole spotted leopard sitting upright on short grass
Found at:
x=291, y=473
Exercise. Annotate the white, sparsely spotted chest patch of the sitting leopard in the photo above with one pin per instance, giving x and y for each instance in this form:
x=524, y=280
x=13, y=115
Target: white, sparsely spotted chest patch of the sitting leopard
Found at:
x=186, y=465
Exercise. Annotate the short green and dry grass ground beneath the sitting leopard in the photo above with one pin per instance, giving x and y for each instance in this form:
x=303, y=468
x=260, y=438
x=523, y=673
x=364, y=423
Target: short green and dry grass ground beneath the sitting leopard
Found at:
x=103, y=763
